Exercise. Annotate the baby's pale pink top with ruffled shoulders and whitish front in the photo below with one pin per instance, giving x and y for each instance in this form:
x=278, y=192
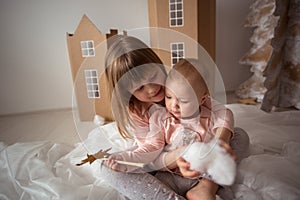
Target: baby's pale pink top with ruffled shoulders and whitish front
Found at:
x=181, y=132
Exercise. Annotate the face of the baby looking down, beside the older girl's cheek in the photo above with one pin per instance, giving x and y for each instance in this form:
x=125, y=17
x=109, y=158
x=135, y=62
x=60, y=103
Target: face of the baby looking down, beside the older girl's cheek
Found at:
x=181, y=100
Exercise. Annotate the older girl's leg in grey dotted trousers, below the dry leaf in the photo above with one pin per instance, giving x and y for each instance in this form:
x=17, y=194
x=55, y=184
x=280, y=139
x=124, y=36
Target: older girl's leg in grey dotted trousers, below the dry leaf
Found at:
x=138, y=185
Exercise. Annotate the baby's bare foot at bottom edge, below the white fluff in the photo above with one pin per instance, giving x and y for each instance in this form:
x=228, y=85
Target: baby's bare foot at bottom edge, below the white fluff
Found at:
x=205, y=190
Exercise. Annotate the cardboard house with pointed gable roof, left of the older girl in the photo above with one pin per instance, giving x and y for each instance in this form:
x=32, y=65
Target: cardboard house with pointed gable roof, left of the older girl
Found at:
x=87, y=47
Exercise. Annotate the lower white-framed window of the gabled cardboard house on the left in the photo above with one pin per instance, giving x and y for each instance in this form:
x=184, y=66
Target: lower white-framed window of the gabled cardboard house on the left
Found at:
x=92, y=86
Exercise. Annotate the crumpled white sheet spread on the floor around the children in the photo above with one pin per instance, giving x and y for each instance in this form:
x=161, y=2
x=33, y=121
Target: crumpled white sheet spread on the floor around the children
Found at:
x=44, y=170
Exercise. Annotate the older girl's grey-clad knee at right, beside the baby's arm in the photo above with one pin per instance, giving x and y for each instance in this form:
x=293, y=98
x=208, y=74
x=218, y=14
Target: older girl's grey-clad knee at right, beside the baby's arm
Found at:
x=240, y=143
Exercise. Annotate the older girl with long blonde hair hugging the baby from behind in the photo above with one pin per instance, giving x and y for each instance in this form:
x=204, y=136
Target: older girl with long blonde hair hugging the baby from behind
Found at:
x=136, y=79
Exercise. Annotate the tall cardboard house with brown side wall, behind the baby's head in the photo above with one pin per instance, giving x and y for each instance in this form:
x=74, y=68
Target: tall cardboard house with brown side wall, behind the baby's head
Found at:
x=194, y=19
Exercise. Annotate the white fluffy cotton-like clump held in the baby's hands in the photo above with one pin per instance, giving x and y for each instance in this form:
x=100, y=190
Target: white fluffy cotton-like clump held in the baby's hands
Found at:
x=212, y=161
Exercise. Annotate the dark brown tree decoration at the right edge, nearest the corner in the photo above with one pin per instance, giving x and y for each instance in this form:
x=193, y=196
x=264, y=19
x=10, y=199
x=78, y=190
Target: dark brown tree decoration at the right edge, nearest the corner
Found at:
x=283, y=71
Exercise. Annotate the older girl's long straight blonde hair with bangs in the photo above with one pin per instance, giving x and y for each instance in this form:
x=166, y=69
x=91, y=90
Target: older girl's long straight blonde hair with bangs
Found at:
x=123, y=59
